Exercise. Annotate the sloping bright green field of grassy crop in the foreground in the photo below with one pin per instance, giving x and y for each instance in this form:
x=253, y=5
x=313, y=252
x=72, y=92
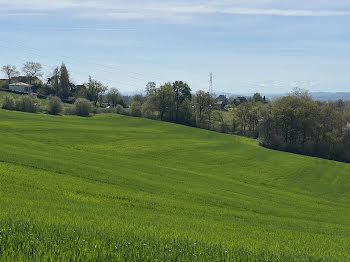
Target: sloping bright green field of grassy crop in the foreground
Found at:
x=113, y=187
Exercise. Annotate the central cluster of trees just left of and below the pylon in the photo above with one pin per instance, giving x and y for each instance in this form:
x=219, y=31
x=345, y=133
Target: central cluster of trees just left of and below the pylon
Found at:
x=174, y=102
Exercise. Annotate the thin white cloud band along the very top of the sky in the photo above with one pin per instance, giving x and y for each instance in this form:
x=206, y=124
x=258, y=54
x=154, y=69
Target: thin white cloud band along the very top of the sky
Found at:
x=173, y=10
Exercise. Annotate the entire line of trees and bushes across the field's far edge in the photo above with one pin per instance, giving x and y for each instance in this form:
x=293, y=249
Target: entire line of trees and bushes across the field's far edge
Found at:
x=294, y=123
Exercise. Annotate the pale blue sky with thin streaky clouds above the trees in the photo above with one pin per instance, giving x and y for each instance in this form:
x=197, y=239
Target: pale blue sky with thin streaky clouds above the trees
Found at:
x=267, y=46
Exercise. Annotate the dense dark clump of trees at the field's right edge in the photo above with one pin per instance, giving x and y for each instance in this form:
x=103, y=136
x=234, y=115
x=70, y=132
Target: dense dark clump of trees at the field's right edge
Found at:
x=299, y=125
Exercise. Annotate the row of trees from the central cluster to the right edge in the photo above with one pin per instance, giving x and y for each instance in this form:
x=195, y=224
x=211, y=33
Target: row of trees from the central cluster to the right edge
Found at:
x=294, y=123
